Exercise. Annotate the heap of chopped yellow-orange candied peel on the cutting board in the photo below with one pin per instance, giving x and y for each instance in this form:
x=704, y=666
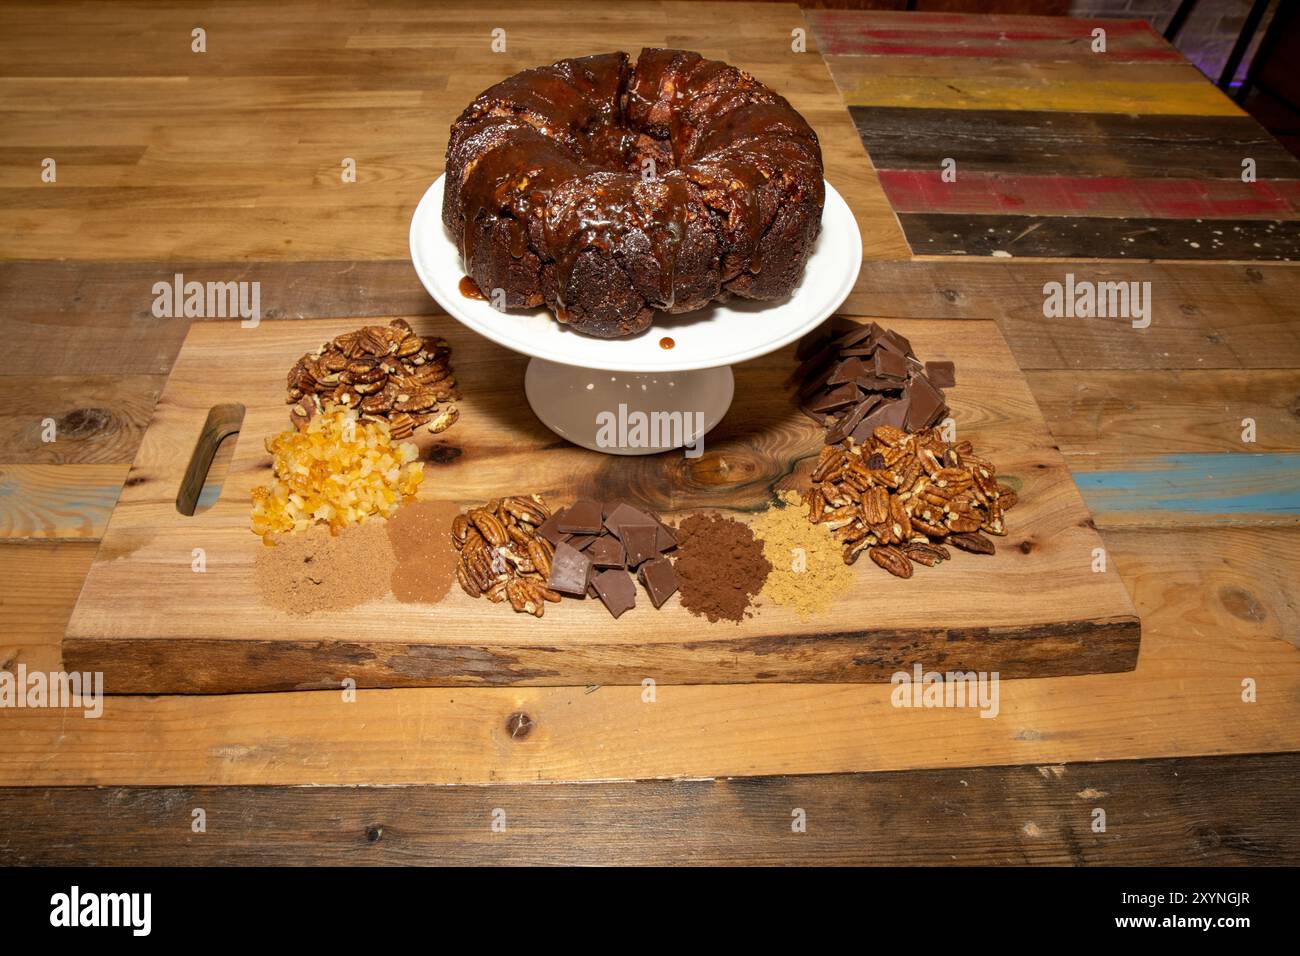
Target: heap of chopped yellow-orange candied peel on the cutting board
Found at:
x=337, y=471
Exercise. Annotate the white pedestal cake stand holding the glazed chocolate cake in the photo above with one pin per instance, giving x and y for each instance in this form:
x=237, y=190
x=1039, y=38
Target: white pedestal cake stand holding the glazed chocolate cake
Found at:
x=635, y=396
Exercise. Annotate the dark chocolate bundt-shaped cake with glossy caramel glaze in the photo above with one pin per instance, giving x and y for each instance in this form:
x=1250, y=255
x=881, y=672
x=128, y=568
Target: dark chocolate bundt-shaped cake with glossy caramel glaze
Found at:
x=609, y=192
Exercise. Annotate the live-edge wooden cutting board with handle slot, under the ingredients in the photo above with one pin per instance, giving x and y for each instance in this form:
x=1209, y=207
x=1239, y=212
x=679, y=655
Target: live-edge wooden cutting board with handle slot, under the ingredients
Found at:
x=153, y=625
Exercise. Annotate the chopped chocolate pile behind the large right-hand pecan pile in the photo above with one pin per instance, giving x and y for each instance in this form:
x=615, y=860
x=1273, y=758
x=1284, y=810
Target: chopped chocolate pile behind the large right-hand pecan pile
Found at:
x=853, y=379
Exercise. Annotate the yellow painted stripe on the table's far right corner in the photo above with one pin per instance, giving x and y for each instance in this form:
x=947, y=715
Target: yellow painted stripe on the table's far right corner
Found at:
x=1094, y=97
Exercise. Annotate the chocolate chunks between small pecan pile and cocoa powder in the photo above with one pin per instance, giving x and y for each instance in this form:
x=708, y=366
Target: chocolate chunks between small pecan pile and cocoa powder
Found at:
x=600, y=546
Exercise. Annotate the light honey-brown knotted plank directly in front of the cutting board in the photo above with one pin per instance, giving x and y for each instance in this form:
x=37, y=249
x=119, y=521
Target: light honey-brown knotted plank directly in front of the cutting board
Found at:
x=1217, y=607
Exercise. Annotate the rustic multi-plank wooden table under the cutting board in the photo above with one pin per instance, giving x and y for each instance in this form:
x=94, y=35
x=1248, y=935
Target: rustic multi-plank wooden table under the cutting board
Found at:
x=226, y=166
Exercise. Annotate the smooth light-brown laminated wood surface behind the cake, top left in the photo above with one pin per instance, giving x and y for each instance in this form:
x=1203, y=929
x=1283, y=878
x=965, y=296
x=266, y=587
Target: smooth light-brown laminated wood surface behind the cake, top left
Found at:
x=237, y=153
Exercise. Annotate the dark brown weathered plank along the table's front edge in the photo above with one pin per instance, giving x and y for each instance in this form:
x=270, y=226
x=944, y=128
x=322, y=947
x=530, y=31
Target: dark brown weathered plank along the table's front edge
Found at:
x=1228, y=811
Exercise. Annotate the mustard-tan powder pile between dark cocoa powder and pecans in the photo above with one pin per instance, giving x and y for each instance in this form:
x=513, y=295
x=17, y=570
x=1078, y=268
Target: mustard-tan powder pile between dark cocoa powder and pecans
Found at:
x=808, y=566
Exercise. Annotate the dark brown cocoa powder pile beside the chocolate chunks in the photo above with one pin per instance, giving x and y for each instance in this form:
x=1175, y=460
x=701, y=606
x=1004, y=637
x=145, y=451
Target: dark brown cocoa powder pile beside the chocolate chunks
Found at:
x=721, y=566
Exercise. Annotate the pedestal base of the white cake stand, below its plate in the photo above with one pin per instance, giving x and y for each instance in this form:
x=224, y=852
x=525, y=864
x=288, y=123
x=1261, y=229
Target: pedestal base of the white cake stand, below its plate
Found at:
x=629, y=413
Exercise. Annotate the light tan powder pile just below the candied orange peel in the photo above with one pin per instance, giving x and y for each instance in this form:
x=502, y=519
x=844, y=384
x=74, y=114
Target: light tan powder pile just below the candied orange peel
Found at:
x=314, y=570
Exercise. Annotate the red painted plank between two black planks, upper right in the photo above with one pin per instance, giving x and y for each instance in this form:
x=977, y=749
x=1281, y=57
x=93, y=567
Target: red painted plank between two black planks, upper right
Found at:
x=1116, y=197
